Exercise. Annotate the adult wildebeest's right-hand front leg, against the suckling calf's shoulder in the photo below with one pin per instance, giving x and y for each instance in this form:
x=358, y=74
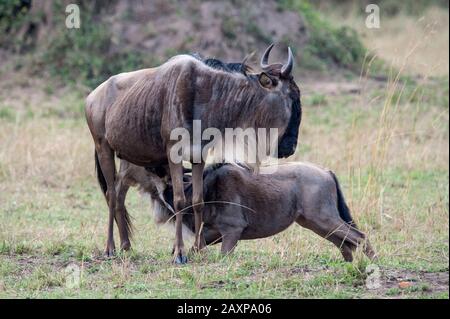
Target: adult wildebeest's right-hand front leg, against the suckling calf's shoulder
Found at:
x=198, y=204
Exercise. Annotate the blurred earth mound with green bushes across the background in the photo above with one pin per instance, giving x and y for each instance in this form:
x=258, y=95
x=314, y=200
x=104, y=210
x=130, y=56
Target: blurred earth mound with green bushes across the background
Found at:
x=119, y=36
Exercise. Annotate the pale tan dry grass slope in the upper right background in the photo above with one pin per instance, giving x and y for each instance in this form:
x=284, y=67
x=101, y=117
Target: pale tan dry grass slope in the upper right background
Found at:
x=398, y=34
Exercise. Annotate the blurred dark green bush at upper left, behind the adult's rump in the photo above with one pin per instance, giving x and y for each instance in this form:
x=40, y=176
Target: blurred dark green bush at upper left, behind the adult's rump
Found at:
x=81, y=55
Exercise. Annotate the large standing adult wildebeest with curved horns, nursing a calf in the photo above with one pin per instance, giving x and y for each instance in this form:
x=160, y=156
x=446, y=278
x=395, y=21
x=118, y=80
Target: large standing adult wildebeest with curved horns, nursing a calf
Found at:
x=132, y=115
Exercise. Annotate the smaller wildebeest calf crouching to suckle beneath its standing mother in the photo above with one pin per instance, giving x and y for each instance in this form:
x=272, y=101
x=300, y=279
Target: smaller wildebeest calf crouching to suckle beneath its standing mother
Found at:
x=241, y=205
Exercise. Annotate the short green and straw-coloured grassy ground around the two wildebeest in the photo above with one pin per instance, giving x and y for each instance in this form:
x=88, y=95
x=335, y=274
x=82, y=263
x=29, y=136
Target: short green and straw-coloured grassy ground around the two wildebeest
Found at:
x=387, y=142
